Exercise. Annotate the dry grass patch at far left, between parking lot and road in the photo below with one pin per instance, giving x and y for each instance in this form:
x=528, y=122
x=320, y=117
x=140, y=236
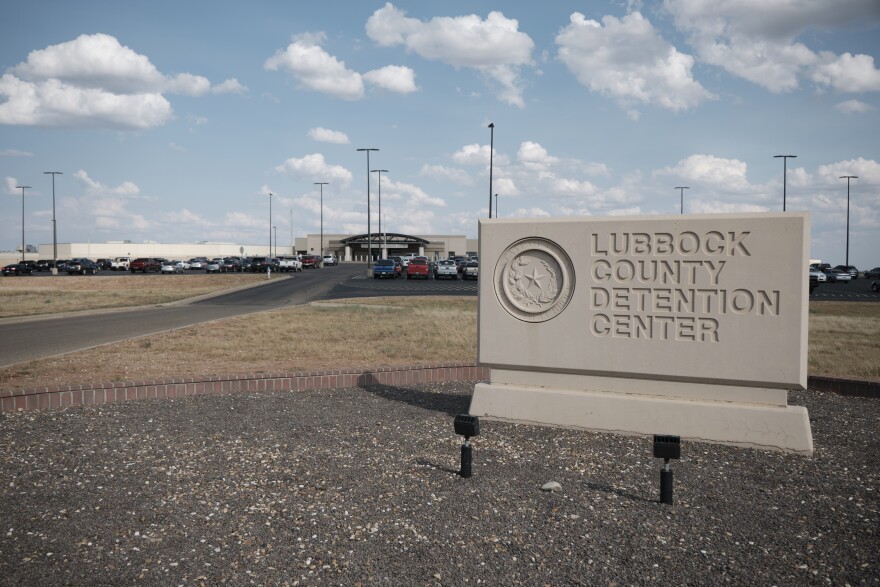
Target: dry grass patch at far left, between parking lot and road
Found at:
x=31, y=296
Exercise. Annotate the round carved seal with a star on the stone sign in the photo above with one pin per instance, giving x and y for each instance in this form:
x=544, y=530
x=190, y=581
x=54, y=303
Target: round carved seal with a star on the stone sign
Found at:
x=534, y=279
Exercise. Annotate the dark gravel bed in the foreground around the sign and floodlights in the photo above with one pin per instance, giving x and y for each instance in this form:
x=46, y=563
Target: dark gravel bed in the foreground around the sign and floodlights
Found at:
x=358, y=486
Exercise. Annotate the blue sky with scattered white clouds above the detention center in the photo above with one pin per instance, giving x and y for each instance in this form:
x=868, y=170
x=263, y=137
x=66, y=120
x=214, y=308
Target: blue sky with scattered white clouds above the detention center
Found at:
x=172, y=121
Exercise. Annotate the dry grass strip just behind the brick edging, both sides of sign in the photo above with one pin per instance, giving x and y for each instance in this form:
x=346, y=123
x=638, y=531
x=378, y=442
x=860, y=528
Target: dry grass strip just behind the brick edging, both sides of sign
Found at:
x=372, y=332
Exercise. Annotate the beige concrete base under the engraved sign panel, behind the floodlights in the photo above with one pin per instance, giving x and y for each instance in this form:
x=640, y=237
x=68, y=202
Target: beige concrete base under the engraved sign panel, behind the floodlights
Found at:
x=621, y=411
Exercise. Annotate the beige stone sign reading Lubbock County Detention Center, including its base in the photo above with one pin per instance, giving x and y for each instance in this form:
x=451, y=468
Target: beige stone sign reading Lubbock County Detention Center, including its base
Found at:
x=689, y=325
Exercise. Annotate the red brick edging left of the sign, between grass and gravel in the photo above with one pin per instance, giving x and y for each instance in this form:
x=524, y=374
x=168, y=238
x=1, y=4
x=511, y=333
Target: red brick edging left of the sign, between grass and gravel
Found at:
x=42, y=398
